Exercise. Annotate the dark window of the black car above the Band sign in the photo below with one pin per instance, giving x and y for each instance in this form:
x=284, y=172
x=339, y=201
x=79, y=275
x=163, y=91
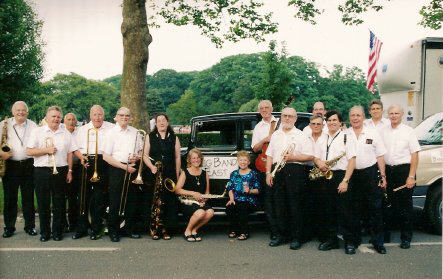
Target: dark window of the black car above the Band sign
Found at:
x=216, y=135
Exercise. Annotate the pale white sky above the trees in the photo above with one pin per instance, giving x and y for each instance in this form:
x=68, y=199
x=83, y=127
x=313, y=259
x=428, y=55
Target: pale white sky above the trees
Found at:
x=83, y=36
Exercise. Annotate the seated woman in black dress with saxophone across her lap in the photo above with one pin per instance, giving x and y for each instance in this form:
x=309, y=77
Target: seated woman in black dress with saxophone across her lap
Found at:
x=193, y=182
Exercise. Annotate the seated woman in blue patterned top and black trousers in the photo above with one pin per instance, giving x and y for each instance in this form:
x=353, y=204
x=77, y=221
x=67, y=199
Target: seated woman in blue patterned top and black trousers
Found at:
x=243, y=187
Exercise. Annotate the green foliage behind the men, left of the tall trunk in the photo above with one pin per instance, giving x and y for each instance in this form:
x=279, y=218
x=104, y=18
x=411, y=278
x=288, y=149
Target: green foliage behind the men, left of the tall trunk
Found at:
x=74, y=93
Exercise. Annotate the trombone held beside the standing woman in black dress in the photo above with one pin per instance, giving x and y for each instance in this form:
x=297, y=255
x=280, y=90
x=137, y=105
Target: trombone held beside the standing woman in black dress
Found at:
x=127, y=180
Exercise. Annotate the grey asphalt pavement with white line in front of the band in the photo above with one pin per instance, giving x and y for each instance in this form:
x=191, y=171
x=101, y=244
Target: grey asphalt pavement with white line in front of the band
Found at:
x=217, y=256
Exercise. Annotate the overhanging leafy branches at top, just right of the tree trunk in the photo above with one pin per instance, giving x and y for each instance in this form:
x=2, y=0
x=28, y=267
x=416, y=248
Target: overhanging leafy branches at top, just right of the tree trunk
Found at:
x=244, y=18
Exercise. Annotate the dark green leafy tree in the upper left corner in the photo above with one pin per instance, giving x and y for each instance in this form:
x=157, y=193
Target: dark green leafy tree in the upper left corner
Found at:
x=21, y=55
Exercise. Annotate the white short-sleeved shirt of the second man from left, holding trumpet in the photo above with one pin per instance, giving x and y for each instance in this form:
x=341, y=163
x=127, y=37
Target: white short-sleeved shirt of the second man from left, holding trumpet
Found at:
x=62, y=140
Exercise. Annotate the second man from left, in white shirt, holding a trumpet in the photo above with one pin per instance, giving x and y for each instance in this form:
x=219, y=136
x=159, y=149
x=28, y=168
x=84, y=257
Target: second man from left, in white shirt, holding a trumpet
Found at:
x=52, y=149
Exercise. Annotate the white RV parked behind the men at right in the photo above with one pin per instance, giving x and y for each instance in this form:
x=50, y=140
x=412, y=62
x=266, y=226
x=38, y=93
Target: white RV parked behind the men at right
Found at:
x=413, y=78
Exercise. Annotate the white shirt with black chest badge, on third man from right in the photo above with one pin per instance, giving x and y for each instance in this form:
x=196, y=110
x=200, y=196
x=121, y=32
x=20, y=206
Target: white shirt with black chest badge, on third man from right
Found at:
x=368, y=147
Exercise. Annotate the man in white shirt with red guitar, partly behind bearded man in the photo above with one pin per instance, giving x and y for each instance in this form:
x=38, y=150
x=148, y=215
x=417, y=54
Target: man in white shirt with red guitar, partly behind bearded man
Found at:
x=261, y=135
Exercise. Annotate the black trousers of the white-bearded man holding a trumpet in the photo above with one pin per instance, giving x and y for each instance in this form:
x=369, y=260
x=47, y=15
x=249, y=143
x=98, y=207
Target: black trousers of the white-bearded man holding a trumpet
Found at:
x=289, y=186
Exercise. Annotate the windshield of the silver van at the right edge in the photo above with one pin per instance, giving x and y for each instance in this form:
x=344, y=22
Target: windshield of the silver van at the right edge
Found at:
x=430, y=131
